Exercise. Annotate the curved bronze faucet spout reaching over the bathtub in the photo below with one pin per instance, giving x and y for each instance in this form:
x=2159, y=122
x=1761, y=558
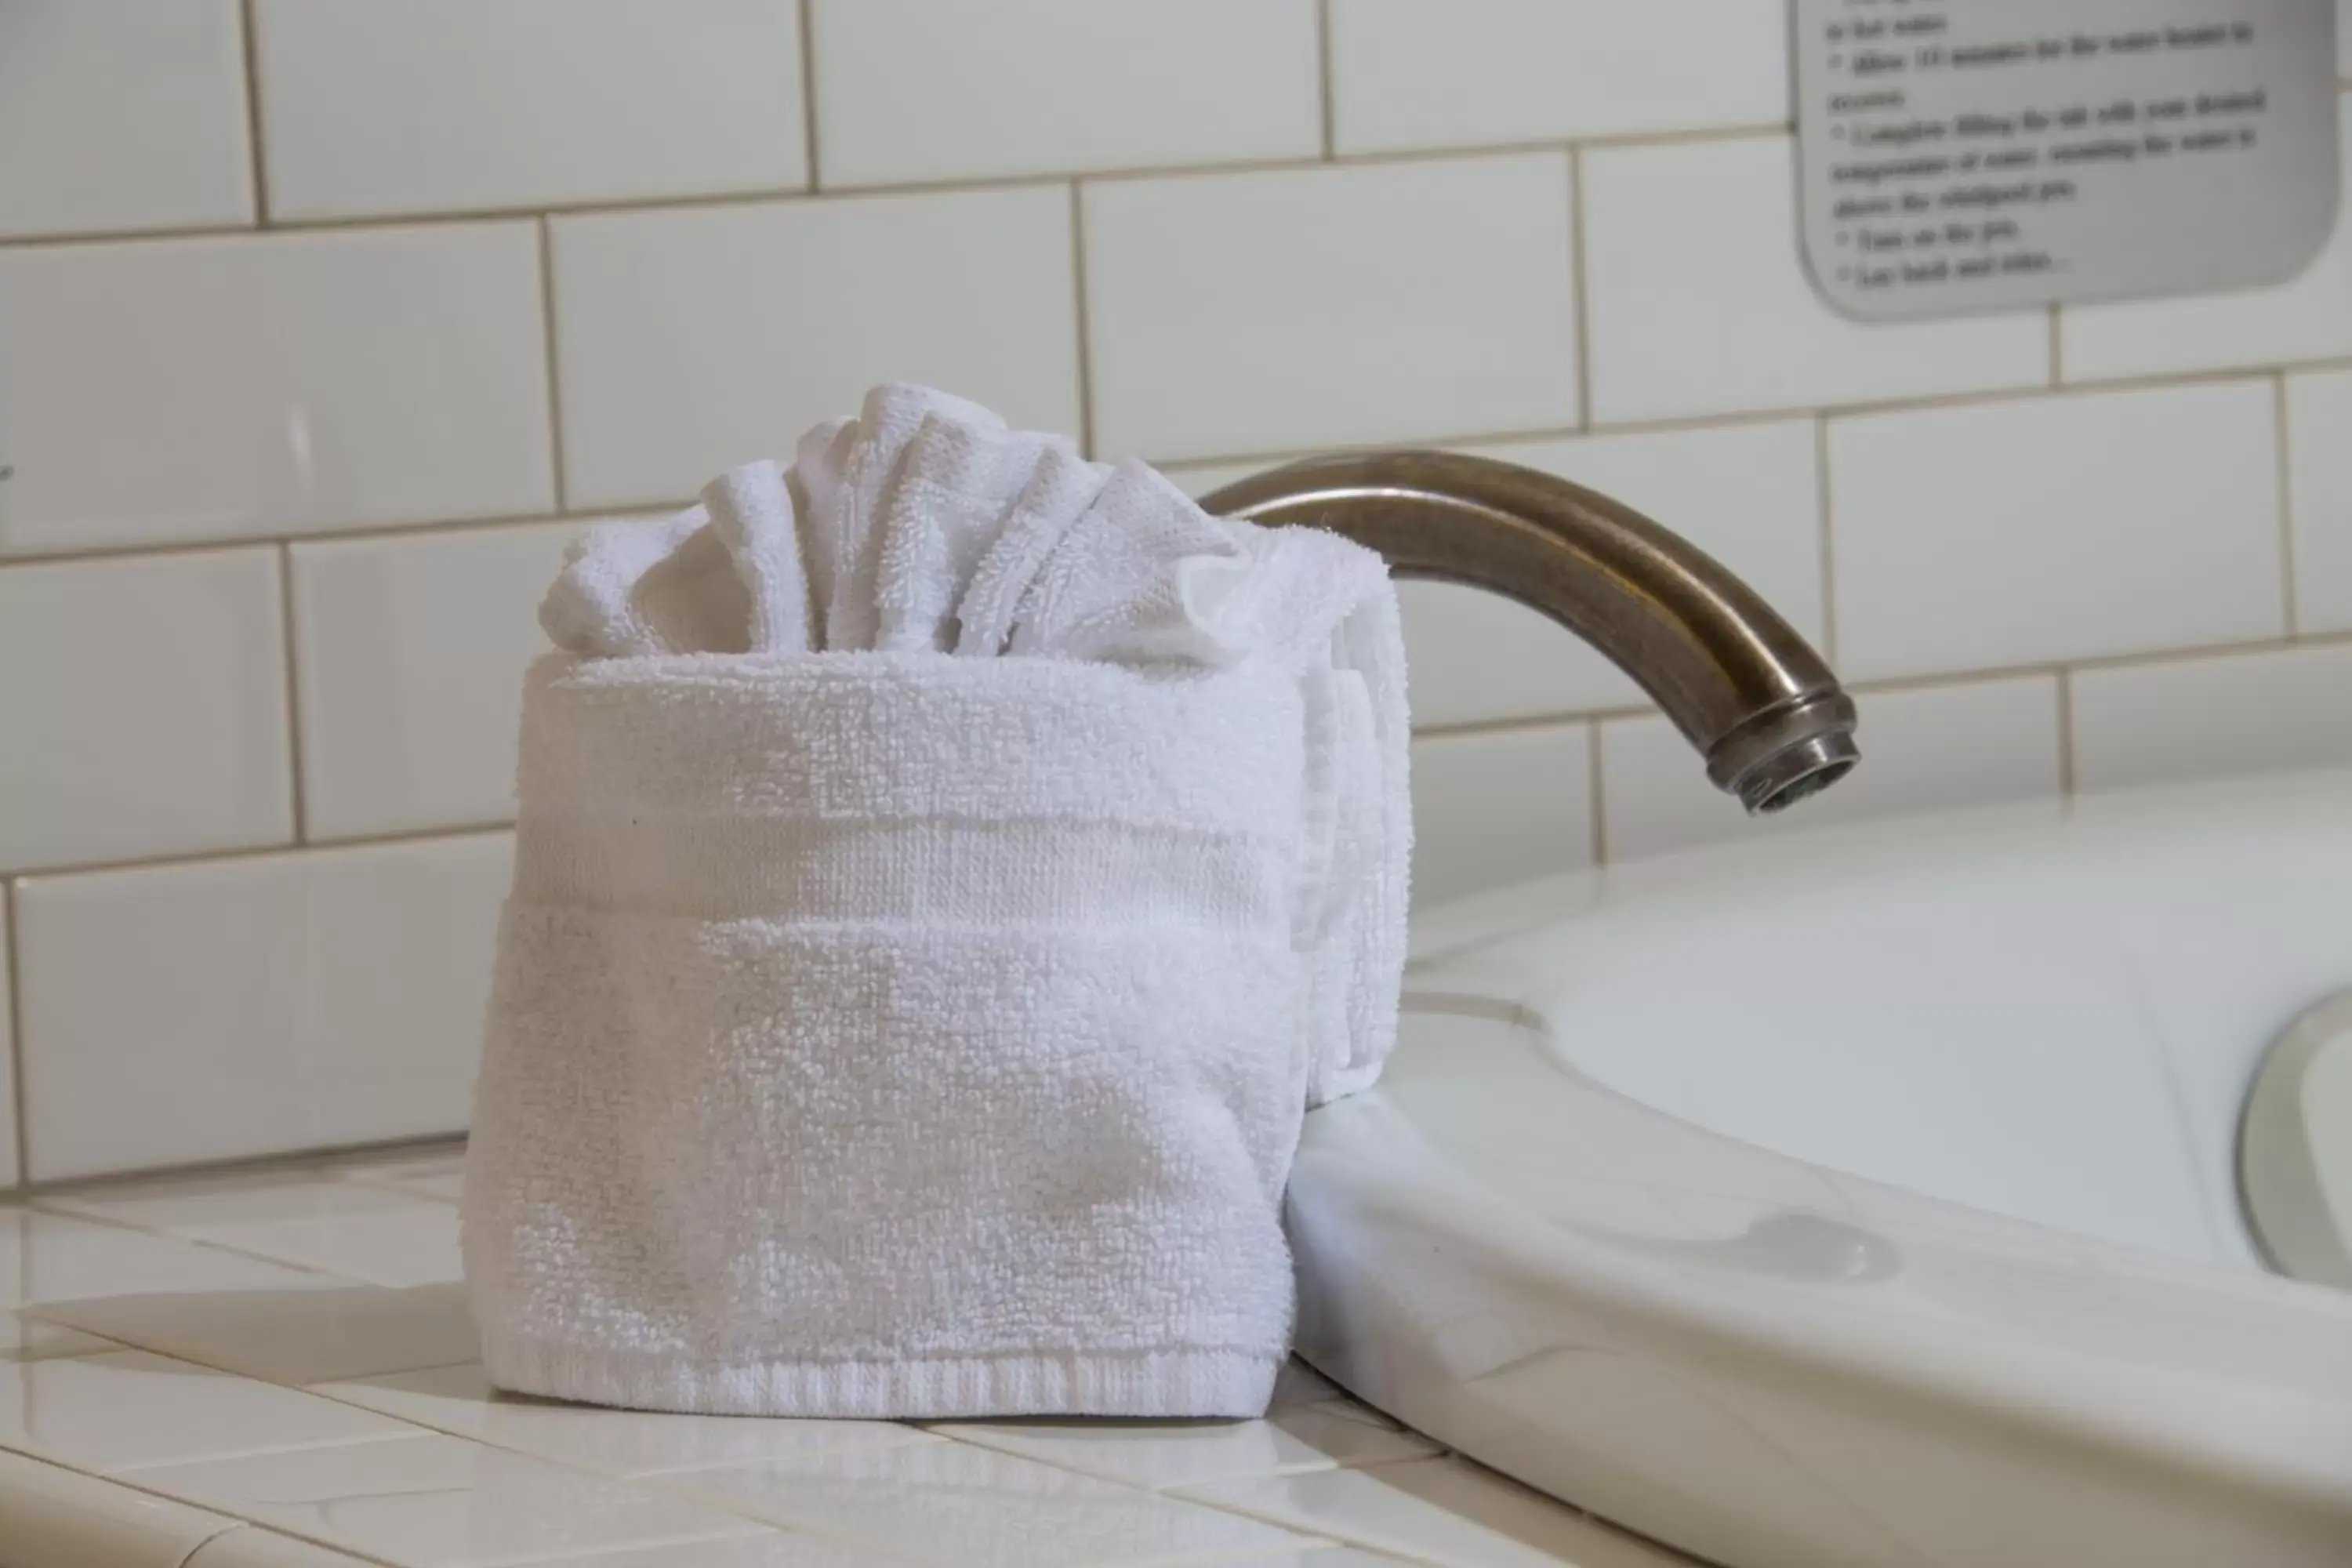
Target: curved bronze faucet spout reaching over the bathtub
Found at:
x=1742, y=685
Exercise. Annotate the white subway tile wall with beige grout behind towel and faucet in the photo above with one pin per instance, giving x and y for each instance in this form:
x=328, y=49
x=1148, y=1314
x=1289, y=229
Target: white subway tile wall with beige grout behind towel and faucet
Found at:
x=250, y=772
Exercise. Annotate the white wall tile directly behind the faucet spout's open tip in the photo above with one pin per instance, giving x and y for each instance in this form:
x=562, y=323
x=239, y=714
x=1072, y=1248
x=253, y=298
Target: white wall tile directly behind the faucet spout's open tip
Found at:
x=1975, y=744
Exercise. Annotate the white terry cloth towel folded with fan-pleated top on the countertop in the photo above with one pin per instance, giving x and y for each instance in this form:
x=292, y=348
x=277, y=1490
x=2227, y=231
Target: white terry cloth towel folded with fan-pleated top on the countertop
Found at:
x=907, y=1007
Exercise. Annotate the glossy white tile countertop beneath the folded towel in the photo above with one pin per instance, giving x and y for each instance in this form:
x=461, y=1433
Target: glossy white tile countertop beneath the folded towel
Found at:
x=276, y=1369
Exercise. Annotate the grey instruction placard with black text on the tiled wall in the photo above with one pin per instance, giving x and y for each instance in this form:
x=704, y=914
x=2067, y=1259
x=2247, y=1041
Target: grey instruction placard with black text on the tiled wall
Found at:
x=2003, y=154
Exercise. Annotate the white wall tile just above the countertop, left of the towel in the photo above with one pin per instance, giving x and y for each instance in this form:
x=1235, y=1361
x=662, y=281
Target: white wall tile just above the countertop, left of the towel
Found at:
x=279, y=1003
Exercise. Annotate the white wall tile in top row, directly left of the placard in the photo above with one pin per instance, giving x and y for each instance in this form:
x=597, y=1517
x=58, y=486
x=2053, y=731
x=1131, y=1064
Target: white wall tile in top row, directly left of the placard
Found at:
x=1492, y=72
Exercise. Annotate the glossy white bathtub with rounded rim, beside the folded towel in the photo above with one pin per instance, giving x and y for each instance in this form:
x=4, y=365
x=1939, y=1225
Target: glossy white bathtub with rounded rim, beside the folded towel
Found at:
x=1864, y=1195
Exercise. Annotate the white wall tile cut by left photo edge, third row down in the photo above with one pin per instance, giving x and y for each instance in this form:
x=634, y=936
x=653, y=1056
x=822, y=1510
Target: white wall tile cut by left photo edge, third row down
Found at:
x=142, y=709
